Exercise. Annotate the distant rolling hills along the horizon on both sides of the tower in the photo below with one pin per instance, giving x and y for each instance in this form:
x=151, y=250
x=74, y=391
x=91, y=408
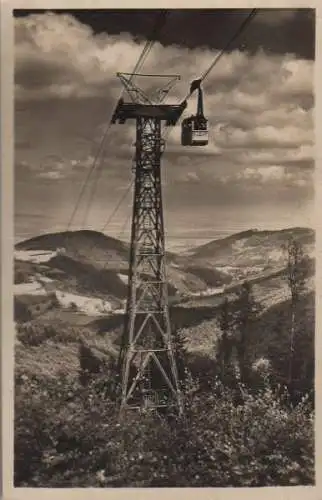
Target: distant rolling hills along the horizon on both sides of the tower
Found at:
x=91, y=263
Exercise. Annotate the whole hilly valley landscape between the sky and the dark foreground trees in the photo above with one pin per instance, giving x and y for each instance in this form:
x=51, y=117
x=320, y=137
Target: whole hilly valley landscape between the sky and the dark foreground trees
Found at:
x=75, y=285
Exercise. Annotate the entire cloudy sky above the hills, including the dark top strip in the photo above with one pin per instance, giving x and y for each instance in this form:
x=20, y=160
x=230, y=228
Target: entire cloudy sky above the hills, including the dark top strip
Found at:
x=258, y=168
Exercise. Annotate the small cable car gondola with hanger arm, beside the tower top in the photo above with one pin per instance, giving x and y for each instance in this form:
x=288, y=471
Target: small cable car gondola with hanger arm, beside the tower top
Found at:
x=194, y=129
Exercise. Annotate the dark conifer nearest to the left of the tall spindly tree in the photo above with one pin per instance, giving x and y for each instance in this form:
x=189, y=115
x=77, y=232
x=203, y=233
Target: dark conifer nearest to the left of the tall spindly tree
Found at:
x=246, y=311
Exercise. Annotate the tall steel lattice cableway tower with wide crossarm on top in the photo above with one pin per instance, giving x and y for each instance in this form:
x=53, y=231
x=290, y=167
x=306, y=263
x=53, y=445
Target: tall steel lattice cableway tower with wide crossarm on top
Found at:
x=147, y=362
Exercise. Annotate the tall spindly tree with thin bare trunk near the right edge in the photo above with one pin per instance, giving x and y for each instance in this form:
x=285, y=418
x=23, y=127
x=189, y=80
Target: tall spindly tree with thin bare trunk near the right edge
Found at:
x=296, y=275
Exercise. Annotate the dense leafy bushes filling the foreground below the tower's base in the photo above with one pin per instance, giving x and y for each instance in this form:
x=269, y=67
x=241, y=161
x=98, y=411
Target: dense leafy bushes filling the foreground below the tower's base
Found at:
x=69, y=435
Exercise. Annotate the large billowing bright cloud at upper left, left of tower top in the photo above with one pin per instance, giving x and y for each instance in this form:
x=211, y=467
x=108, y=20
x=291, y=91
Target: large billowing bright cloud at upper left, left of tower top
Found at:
x=57, y=56
